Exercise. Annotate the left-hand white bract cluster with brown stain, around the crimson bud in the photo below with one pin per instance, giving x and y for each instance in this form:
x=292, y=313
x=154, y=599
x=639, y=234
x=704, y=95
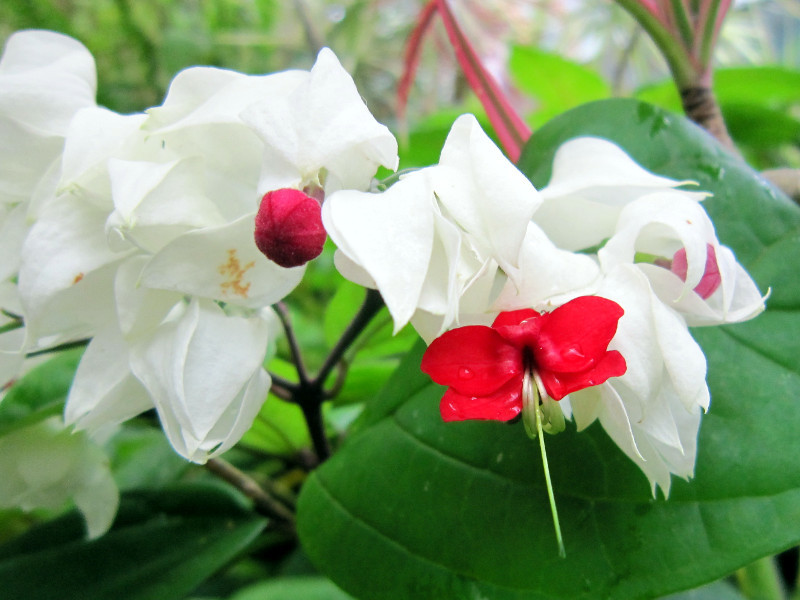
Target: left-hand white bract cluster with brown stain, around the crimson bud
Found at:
x=136, y=231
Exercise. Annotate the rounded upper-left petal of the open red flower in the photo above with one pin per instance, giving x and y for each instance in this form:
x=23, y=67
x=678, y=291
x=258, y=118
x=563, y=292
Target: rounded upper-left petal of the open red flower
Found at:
x=473, y=360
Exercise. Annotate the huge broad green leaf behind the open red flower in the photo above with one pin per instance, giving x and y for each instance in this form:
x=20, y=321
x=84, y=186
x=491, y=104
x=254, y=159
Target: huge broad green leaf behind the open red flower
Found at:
x=415, y=508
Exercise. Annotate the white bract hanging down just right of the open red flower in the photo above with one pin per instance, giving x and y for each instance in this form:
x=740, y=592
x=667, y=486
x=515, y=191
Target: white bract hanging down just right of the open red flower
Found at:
x=653, y=411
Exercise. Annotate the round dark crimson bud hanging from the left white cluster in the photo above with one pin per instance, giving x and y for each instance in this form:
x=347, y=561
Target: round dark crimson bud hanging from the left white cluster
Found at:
x=289, y=227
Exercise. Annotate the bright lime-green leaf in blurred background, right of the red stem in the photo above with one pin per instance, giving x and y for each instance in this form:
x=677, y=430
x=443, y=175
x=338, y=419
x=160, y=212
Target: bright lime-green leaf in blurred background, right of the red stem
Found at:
x=557, y=83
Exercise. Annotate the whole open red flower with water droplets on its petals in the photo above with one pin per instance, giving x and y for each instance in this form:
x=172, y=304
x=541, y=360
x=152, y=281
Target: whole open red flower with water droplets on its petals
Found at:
x=485, y=366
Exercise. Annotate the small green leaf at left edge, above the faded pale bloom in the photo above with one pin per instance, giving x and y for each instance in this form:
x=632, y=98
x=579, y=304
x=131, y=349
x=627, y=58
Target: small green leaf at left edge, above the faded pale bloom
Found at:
x=40, y=393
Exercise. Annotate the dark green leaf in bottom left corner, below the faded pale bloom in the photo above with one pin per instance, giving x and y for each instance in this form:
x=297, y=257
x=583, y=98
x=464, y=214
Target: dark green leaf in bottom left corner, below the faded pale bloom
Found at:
x=162, y=545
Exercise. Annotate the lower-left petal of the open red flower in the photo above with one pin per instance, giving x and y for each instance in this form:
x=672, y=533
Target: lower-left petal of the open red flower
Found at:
x=503, y=405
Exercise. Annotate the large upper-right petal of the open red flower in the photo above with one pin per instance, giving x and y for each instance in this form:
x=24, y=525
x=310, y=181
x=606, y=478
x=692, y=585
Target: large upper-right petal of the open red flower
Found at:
x=576, y=335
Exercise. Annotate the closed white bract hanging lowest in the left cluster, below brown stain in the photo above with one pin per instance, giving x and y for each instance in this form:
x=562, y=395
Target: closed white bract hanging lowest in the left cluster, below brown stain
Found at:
x=203, y=371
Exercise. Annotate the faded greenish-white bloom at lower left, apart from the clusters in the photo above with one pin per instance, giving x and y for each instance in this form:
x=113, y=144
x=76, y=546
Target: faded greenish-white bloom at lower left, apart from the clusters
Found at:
x=44, y=465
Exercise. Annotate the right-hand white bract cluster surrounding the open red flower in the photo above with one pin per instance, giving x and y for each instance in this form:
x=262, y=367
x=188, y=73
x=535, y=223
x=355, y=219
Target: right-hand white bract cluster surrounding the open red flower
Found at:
x=459, y=242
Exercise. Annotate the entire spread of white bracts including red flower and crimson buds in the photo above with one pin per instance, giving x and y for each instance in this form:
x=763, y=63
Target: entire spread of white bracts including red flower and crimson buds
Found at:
x=164, y=237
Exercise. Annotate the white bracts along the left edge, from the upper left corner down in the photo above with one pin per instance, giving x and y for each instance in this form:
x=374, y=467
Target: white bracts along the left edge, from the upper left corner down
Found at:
x=45, y=79
